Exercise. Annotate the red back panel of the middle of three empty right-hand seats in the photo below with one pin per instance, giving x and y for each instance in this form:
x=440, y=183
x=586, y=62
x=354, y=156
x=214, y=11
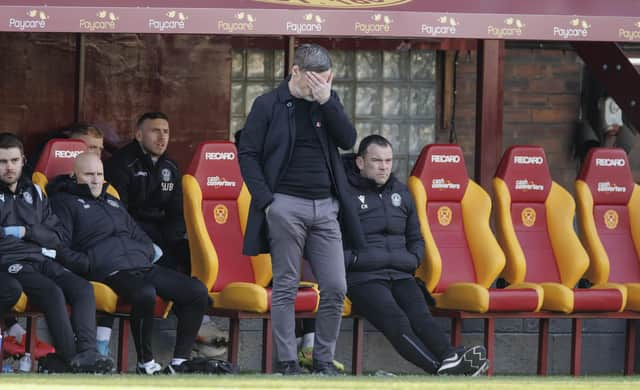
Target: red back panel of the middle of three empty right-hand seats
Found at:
x=525, y=171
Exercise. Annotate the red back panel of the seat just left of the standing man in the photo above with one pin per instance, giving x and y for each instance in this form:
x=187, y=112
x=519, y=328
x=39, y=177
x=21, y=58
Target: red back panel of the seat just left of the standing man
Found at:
x=215, y=167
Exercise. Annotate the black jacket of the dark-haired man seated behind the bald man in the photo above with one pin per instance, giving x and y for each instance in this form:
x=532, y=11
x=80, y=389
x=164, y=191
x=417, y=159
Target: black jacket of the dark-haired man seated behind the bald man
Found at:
x=151, y=192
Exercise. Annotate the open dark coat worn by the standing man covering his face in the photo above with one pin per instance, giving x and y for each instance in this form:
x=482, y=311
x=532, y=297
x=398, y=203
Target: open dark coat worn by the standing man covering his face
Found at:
x=265, y=149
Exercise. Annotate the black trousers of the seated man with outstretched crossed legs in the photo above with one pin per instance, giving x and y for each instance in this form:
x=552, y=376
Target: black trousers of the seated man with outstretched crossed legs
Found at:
x=398, y=309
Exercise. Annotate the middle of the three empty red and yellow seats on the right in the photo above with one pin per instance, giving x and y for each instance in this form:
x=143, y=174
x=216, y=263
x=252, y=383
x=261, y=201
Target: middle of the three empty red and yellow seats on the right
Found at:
x=534, y=225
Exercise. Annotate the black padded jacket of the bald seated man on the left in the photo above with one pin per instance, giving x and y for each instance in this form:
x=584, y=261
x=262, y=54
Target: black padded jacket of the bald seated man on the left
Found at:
x=100, y=237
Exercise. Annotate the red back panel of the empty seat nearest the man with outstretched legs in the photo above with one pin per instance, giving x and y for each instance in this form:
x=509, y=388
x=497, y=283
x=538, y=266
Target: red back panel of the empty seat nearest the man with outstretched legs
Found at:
x=442, y=171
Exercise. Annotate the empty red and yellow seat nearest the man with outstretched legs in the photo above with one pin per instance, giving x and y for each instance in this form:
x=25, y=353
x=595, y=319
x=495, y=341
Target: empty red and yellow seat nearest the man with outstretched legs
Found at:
x=462, y=256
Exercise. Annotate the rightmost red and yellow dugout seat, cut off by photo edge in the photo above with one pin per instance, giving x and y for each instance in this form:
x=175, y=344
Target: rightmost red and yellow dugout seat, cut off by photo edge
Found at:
x=608, y=203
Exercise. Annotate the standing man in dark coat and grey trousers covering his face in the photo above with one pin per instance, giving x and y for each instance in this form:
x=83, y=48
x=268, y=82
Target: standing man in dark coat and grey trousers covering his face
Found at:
x=290, y=161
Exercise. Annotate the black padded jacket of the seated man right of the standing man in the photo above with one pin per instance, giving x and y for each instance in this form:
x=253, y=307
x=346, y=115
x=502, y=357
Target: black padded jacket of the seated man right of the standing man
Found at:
x=395, y=246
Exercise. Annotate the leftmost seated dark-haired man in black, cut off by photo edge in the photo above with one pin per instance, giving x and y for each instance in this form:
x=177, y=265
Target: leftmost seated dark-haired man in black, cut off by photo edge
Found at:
x=30, y=247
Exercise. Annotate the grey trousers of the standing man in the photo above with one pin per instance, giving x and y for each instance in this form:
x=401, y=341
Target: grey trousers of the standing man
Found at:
x=301, y=227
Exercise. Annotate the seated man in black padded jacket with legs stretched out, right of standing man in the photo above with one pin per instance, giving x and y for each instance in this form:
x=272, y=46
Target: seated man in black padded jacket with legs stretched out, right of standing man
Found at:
x=380, y=278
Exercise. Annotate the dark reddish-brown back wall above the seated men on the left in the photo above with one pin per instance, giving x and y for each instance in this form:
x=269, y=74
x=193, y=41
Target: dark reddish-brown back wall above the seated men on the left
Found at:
x=186, y=76
